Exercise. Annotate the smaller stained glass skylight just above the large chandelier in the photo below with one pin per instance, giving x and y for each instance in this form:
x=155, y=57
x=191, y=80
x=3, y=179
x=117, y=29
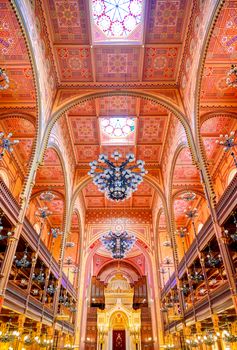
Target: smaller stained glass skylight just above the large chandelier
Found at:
x=118, y=127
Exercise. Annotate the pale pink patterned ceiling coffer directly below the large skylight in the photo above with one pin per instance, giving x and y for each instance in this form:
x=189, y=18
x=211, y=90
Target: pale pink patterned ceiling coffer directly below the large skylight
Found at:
x=117, y=63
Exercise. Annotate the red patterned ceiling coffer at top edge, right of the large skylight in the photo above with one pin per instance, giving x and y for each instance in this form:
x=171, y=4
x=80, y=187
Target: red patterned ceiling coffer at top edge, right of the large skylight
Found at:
x=167, y=21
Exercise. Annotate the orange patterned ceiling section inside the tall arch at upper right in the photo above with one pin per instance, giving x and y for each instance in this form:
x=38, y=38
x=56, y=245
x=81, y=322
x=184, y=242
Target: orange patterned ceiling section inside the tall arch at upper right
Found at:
x=221, y=53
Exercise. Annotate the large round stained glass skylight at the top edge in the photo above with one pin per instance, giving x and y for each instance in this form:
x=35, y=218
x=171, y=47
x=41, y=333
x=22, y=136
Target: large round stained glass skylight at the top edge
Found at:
x=117, y=18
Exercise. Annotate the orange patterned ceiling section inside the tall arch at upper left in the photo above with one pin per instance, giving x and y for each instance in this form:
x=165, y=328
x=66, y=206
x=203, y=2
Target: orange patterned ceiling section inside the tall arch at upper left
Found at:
x=14, y=58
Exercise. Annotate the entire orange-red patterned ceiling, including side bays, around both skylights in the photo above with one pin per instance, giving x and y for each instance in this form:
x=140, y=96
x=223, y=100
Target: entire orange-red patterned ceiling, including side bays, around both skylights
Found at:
x=163, y=50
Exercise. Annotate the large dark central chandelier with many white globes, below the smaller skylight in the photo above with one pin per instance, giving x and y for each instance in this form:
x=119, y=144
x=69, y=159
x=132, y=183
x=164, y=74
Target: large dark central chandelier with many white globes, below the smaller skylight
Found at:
x=118, y=181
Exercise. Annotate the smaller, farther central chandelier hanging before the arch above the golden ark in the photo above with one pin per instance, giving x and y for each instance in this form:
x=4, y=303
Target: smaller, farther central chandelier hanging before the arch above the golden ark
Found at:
x=118, y=243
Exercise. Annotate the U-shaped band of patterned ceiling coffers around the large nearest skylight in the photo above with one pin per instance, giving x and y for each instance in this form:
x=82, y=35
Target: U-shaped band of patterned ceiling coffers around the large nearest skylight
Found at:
x=77, y=61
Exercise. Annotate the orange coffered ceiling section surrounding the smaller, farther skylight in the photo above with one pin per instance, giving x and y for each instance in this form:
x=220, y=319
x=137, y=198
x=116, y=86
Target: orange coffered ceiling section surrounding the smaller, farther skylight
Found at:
x=150, y=130
